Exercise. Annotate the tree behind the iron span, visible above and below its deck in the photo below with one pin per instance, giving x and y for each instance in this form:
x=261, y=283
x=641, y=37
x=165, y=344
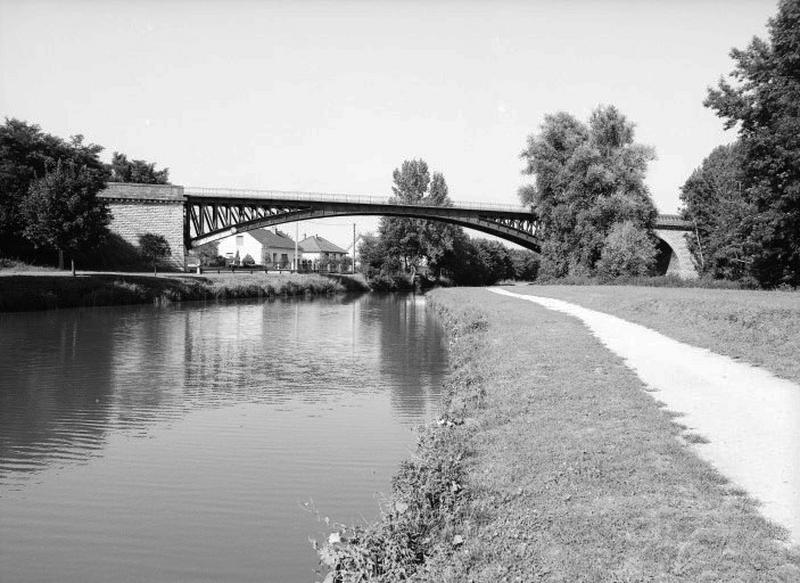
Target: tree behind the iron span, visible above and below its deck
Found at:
x=408, y=241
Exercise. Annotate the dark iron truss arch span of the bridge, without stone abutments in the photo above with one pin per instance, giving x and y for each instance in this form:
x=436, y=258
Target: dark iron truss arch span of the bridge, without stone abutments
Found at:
x=216, y=213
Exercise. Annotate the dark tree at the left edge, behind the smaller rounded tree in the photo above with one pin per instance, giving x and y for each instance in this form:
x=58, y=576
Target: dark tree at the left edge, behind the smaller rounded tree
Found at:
x=27, y=154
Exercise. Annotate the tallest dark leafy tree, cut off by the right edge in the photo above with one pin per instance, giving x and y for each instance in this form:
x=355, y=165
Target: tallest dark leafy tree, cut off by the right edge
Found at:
x=763, y=100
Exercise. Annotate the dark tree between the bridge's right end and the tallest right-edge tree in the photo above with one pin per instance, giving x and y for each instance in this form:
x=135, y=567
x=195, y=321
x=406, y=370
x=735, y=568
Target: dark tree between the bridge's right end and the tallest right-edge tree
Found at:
x=714, y=203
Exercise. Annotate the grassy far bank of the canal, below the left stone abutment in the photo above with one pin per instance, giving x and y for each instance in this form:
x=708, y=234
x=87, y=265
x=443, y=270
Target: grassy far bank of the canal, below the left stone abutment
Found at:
x=41, y=291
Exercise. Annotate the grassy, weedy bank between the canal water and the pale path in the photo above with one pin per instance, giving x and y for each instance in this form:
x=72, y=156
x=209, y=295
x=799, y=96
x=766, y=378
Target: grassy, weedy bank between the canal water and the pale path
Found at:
x=551, y=463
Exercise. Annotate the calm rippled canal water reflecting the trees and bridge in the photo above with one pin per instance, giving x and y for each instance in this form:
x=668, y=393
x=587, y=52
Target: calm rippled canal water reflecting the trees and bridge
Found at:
x=204, y=442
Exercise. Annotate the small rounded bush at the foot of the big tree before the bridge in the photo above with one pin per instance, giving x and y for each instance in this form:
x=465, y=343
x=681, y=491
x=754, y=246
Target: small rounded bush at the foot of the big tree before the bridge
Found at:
x=628, y=250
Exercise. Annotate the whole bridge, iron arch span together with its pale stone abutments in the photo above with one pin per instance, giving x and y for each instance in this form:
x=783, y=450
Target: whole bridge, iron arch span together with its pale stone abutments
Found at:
x=189, y=217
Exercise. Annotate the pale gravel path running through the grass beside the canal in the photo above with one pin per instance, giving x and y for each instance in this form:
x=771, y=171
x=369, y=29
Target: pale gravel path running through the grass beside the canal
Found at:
x=741, y=419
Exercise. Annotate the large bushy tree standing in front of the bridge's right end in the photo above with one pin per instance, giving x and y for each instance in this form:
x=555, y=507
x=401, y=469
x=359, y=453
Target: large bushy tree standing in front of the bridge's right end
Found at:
x=589, y=178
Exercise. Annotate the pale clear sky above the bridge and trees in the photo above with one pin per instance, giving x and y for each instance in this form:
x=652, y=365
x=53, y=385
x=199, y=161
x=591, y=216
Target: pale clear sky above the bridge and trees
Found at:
x=332, y=96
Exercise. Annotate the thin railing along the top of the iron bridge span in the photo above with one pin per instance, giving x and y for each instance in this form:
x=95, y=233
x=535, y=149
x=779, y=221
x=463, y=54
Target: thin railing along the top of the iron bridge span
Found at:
x=295, y=196
